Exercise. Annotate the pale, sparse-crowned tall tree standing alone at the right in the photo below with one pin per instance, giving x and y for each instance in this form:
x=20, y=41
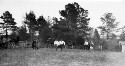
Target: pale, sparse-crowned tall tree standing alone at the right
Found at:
x=109, y=24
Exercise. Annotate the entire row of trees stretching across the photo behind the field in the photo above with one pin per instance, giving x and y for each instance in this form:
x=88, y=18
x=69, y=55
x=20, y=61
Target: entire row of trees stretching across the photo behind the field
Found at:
x=73, y=25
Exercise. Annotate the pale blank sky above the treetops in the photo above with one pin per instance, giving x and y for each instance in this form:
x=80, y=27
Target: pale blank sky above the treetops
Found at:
x=96, y=9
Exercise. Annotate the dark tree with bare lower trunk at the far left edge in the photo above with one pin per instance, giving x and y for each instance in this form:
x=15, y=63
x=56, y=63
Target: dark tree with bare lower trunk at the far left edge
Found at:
x=9, y=22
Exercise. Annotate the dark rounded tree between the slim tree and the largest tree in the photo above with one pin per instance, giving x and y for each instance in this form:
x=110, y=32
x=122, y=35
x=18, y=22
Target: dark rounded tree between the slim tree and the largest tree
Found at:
x=43, y=28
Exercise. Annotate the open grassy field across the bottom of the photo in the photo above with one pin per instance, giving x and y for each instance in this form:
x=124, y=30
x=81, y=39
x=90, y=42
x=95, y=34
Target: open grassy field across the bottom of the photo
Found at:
x=67, y=57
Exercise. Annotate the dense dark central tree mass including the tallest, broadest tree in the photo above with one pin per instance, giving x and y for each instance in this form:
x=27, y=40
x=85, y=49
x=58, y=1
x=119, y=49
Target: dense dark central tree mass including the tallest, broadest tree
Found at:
x=73, y=24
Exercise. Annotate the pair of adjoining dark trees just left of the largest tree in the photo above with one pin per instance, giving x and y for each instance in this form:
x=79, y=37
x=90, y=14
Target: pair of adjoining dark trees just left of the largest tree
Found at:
x=37, y=24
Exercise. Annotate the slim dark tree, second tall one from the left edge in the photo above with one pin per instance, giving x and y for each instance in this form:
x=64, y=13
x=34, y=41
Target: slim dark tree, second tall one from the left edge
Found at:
x=31, y=22
